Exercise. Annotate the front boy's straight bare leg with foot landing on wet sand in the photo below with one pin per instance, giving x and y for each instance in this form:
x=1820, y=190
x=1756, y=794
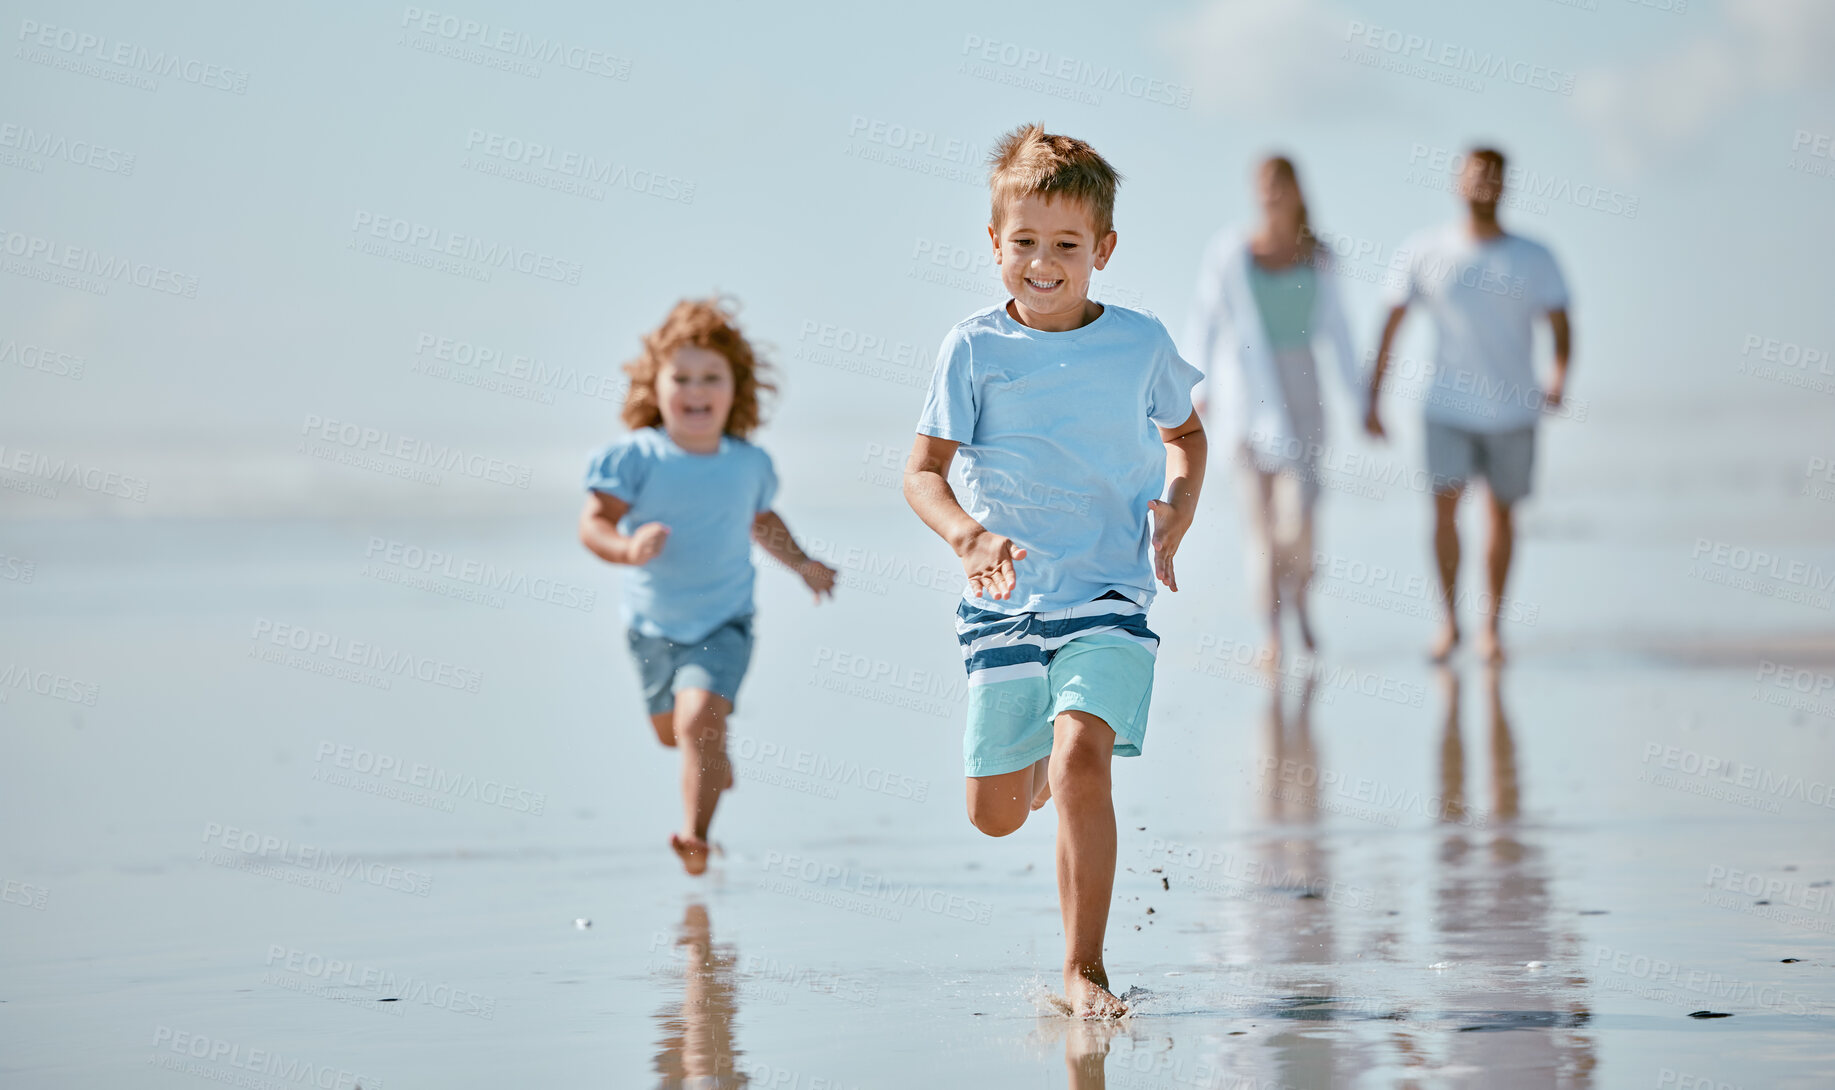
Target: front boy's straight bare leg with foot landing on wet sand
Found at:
x=1082, y=751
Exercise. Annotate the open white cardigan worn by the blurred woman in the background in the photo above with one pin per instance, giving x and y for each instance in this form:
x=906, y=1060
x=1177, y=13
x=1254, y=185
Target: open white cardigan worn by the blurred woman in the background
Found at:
x=1227, y=340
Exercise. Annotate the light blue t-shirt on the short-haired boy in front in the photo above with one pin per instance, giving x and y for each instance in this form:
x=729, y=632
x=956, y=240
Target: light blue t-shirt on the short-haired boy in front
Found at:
x=1062, y=447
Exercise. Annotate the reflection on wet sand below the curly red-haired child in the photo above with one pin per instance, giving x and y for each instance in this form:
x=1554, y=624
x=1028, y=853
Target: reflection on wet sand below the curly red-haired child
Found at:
x=696, y=1047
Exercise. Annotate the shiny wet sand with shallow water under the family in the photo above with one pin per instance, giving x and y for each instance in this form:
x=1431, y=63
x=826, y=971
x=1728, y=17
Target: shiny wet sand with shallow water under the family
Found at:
x=1390, y=876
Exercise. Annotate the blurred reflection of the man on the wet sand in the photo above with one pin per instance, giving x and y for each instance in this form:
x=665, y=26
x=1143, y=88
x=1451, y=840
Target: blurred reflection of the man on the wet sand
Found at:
x=1518, y=1019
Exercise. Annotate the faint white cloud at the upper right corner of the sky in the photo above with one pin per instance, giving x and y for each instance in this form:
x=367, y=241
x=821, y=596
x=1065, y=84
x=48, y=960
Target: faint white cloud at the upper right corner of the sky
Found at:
x=1662, y=107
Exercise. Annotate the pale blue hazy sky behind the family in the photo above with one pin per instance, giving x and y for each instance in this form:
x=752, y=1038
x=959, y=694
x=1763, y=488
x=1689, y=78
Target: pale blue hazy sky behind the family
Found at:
x=282, y=179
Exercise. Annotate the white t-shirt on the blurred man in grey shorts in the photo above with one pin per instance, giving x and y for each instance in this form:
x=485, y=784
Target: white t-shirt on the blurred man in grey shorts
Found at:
x=1485, y=296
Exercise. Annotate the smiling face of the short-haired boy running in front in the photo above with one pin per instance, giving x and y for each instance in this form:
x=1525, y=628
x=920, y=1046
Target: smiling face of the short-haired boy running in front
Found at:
x=1047, y=252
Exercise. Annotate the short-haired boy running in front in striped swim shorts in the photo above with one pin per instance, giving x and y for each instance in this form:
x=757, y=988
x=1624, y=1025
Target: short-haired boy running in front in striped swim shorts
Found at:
x=1071, y=417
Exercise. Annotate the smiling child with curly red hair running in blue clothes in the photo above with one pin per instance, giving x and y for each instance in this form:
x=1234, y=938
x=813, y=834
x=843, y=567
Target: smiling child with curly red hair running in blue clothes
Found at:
x=680, y=500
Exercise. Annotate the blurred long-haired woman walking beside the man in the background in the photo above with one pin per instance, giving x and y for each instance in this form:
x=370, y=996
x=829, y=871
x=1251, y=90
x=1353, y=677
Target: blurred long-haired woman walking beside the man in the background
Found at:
x=1265, y=296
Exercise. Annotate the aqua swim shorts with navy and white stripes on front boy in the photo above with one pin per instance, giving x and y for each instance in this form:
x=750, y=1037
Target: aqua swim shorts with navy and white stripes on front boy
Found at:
x=1025, y=669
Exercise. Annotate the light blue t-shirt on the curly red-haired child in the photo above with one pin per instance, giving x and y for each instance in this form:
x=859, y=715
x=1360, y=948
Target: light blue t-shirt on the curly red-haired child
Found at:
x=704, y=577
